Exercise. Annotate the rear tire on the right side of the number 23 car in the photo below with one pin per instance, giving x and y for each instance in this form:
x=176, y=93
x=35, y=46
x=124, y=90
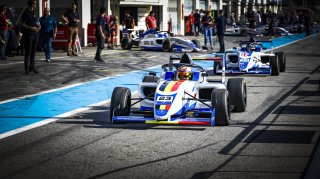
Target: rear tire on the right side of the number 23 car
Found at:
x=237, y=89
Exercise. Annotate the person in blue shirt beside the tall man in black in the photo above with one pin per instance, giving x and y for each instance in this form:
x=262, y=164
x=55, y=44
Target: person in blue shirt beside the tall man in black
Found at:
x=48, y=32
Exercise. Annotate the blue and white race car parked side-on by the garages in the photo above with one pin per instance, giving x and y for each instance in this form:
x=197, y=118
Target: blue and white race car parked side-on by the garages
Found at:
x=159, y=40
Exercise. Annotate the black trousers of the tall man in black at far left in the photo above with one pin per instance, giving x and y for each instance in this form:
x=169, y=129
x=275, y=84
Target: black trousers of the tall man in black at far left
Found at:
x=30, y=45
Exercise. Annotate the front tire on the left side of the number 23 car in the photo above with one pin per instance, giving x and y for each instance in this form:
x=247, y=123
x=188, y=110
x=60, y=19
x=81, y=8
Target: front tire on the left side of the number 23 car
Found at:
x=120, y=102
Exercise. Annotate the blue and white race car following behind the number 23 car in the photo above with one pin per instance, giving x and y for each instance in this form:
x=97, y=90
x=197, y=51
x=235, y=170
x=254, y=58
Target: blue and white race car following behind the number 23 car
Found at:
x=250, y=58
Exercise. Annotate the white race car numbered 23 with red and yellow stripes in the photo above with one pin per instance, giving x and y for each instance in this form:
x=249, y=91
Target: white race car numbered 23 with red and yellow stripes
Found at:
x=182, y=95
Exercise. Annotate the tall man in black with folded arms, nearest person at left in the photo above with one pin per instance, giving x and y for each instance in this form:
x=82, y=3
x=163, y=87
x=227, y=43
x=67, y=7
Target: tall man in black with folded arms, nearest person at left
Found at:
x=31, y=28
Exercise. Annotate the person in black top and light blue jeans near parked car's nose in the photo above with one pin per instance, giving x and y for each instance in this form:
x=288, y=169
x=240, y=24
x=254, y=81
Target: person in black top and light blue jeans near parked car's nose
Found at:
x=207, y=26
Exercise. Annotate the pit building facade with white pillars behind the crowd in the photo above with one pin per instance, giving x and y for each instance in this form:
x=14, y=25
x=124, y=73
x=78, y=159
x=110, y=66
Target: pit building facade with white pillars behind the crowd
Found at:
x=176, y=10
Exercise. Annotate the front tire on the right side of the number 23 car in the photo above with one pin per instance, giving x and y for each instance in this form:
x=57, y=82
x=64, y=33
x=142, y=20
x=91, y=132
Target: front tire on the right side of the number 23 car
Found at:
x=219, y=101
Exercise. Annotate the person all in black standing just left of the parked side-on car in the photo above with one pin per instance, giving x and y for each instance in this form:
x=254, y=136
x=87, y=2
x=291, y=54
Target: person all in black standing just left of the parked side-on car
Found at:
x=100, y=33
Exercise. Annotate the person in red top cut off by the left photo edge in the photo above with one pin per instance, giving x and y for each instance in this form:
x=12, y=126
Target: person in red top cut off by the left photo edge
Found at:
x=4, y=35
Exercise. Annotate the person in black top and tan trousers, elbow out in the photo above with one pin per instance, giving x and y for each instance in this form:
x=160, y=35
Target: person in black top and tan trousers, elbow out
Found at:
x=72, y=18
